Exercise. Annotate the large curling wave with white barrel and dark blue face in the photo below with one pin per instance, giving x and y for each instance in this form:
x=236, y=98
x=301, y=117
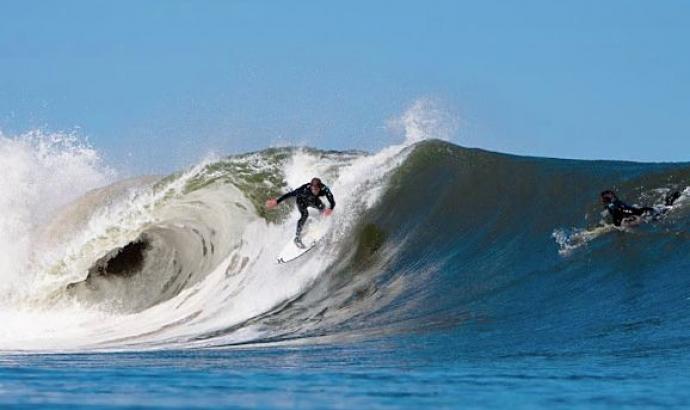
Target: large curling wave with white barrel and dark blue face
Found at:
x=427, y=236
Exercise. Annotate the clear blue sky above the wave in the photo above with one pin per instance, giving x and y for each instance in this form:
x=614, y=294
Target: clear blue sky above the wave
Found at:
x=155, y=84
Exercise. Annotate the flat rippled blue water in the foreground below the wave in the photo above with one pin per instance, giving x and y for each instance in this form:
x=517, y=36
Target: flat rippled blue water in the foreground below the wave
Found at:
x=383, y=374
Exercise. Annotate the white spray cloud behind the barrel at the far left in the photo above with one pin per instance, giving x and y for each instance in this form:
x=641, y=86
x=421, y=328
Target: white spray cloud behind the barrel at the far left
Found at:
x=41, y=172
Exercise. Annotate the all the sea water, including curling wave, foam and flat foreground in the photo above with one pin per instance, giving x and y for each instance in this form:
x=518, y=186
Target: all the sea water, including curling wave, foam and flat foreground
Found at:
x=449, y=277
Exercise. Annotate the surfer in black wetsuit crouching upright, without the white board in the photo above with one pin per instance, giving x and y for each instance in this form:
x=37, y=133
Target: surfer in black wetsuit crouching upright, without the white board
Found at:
x=305, y=196
